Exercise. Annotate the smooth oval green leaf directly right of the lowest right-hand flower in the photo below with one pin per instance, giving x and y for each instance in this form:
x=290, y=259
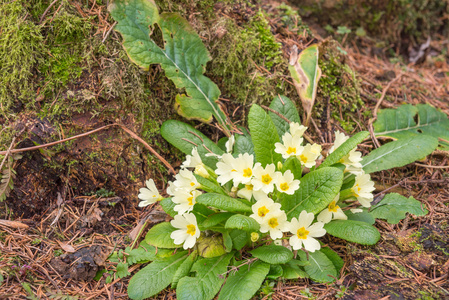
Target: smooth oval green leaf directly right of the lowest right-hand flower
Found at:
x=353, y=231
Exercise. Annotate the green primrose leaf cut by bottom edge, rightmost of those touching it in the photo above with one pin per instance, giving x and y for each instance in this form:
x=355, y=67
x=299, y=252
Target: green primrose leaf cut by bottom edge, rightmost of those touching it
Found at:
x=244, y=283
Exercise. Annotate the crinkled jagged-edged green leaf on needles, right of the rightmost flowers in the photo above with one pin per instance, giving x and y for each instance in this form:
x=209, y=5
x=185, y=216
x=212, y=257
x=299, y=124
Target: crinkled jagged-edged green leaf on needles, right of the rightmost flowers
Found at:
x=393, y=208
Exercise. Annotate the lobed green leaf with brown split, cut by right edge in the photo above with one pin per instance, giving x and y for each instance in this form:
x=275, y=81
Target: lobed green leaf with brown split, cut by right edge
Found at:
x=400, y=123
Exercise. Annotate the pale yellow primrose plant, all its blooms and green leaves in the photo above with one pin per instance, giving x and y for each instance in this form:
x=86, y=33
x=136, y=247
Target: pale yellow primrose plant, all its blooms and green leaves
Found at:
x=258, y=205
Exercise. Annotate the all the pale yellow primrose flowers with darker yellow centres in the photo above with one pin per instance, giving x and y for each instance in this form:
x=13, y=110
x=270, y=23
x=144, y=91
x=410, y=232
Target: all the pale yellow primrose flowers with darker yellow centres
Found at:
x=263, y=186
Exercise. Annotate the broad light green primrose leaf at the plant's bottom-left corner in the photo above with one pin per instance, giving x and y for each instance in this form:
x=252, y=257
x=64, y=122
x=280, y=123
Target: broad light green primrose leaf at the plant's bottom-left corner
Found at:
x=155, y=277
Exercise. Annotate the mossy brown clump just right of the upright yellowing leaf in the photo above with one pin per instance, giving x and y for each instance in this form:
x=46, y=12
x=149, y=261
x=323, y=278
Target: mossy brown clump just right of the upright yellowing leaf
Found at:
x=339, y=84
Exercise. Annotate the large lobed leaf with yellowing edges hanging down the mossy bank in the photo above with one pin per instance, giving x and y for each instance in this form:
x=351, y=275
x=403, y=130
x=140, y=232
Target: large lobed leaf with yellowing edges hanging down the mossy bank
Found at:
x=183, y=57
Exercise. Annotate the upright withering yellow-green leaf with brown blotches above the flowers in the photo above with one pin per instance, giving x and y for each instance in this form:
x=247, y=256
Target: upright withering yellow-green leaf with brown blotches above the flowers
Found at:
x=305, y=74
